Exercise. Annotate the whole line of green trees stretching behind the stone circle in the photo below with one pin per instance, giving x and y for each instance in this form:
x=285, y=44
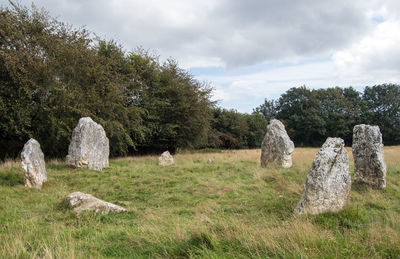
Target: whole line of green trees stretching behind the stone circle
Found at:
x=52, y=74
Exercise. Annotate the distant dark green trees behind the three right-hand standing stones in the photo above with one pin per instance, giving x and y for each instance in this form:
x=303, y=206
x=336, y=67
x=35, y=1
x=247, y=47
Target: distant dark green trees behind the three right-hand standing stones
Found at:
x=310, y=116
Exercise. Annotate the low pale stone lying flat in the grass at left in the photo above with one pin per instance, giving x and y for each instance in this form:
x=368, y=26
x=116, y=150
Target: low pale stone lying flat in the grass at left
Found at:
x=85, y=202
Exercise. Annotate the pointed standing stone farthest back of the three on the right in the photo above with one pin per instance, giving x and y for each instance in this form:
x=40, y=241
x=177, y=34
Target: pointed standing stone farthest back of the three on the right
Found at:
x=276, y=148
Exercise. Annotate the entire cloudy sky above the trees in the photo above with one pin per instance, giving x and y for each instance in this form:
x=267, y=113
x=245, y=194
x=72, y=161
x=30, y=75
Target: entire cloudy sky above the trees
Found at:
x=252, y=50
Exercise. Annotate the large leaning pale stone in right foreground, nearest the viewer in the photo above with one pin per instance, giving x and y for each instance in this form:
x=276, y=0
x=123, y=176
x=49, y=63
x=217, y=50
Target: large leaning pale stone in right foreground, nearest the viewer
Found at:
x=328, y=182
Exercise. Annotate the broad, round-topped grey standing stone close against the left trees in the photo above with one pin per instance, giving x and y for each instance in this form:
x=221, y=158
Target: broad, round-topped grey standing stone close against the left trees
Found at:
x=89, y=146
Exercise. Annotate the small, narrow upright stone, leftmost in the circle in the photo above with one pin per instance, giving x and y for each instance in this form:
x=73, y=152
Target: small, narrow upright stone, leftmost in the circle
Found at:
x=33, y=164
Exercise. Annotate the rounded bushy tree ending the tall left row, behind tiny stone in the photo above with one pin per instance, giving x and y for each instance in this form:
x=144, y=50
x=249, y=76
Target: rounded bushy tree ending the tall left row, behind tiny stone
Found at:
x=177, y=108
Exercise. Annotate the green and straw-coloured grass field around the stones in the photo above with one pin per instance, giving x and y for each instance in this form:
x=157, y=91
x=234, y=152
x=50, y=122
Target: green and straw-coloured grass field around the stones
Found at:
x=230, y=208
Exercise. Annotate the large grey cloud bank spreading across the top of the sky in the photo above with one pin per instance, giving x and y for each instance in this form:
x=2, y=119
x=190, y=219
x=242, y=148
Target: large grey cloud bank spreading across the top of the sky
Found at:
x=233, y=33
